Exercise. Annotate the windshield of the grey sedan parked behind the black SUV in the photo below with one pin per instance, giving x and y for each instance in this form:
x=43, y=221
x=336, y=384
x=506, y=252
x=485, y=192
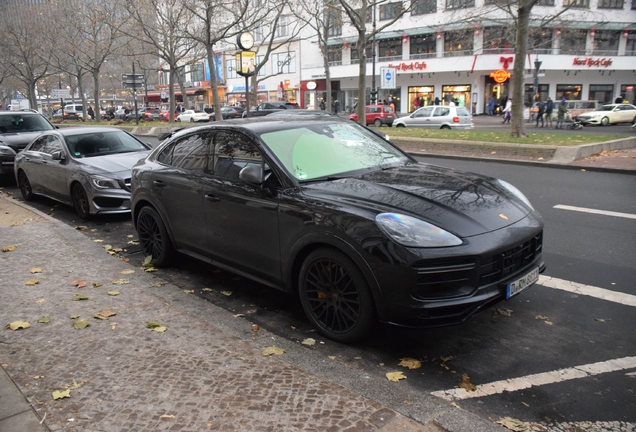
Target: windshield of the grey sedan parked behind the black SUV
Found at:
x=103, y=143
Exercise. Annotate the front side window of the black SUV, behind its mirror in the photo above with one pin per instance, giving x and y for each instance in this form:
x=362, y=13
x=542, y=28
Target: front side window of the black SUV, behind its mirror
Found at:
x=233, y=152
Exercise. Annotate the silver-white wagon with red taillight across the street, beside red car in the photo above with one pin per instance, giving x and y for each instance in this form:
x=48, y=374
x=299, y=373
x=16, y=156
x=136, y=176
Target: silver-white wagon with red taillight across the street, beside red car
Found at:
x=438, y=117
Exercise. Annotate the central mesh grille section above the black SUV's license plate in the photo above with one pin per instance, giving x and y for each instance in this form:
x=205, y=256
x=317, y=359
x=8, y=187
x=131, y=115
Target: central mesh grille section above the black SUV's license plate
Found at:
x=500, y=266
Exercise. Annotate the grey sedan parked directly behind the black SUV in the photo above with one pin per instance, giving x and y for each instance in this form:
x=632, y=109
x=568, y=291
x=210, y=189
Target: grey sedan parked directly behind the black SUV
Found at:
x=87, y=168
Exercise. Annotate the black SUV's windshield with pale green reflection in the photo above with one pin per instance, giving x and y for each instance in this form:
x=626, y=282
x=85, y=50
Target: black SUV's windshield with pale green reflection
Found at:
x=330, y=149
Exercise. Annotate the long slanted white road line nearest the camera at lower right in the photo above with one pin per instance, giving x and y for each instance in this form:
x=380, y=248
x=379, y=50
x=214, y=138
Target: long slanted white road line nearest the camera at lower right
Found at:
x=539, y=379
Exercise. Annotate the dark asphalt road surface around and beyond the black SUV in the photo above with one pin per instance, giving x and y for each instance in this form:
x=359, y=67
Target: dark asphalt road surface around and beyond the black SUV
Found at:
x=547, y=329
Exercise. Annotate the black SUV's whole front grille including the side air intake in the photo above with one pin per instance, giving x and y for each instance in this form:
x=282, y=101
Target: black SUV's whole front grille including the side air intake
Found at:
x=444, y=279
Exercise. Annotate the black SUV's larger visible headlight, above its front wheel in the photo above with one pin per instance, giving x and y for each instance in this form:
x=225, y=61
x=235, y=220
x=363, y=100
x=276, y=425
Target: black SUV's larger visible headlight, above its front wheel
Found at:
x=412, y=232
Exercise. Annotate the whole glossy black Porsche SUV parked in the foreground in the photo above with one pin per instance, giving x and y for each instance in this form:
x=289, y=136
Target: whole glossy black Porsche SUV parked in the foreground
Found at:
x=324, y=208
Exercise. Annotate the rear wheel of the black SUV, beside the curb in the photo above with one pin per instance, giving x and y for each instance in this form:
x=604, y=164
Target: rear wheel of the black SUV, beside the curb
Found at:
x=153, y=237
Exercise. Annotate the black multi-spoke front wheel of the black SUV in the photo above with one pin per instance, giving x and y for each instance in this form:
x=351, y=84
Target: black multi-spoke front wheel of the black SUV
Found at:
x=335, y=296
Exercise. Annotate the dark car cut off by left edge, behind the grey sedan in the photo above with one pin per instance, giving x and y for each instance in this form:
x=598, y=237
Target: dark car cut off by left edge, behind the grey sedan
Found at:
x=17, y=130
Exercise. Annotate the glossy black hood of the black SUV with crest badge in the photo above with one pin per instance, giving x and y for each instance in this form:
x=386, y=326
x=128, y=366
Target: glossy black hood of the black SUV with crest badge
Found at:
x=465, y=204
